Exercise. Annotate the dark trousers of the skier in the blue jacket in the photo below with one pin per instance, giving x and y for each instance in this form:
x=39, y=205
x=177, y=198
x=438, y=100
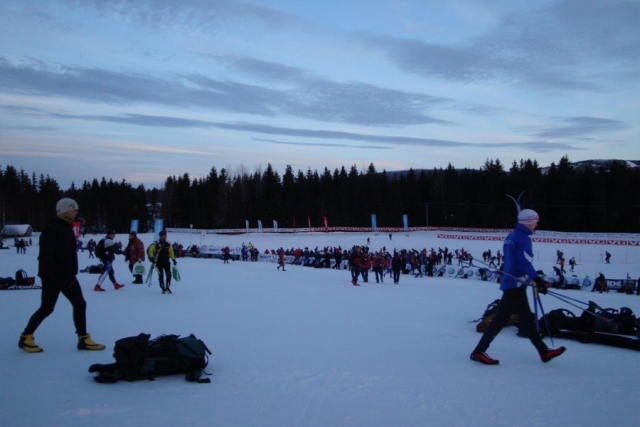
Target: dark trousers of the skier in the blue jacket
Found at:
x=513, y=301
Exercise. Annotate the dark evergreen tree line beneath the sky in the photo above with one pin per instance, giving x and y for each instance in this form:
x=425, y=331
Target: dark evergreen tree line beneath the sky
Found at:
x=590, y=199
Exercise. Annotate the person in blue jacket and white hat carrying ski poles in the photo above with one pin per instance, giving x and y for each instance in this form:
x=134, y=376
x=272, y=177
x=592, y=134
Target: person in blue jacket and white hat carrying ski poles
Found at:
x=517, y=273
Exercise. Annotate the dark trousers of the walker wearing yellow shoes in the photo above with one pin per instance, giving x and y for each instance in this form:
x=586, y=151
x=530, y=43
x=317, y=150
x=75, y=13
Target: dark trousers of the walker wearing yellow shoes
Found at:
x=51, y=289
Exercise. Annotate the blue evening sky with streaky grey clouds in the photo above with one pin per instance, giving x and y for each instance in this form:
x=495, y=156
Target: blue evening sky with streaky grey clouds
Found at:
x=144, y=89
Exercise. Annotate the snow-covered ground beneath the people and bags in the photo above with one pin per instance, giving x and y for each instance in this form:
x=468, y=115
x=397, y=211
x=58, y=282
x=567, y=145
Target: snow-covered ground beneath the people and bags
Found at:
x=306, y=348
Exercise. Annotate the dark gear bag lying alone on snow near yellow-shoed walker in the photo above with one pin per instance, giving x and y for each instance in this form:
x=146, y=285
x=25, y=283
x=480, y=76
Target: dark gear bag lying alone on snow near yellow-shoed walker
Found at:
x=139, y=358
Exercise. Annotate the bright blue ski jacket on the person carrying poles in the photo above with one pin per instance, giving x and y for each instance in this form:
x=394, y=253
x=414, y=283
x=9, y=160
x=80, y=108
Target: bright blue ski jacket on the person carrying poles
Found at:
x=518, y=254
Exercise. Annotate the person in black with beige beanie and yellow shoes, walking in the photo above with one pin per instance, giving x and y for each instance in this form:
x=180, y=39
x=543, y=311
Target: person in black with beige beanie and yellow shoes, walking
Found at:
x=57, y=268
